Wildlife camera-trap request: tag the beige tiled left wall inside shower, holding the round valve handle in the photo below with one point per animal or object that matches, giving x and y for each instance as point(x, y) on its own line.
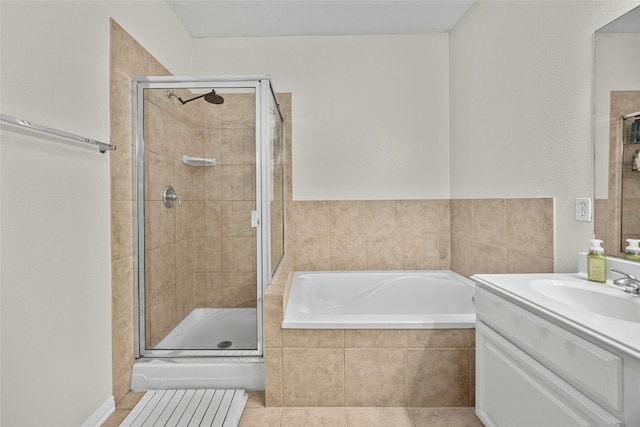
point(169, 233)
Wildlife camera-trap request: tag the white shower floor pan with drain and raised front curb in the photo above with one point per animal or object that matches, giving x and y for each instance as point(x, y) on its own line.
point(184, 362)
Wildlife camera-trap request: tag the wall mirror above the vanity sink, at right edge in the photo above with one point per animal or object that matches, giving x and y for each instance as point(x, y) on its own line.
point(617, 122)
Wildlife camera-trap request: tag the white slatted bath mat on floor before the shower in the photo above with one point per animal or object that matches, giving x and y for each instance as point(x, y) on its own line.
point(173, 408)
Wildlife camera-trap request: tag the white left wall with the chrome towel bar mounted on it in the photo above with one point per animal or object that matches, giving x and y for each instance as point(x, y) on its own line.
point(55, 215)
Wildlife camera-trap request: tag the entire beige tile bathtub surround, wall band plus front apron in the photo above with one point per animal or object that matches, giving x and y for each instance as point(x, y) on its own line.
point(466, 236)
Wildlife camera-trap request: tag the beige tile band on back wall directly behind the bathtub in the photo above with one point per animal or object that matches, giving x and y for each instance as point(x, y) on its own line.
point(371, 235)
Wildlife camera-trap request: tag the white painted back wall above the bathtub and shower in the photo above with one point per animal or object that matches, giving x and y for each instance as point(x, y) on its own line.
point(370, 112)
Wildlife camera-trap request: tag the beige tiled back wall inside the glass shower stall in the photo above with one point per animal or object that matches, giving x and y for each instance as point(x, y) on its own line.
point(225, 259)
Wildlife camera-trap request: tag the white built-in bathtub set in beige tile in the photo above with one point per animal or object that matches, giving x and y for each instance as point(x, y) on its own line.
point(380, 300)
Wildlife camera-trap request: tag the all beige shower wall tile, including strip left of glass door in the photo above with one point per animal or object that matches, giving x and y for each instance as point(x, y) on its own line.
point(211, 224)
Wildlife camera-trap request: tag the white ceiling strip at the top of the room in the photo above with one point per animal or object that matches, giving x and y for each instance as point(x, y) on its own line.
point(267, 18)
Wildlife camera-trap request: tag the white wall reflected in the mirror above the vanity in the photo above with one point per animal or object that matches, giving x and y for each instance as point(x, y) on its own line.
point(617, 68)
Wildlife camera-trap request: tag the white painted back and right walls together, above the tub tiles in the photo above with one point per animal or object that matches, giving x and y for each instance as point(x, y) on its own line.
point(520, 108)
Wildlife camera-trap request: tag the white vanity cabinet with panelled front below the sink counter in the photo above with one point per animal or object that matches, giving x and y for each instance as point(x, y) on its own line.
point(533, 370)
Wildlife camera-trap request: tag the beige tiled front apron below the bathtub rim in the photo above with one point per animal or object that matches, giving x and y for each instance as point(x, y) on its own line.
point(421, 368)
